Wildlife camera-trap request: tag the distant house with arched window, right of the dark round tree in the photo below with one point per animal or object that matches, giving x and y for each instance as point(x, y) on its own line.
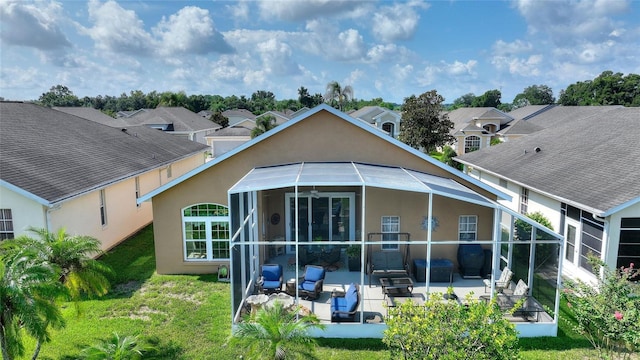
point(475, 127)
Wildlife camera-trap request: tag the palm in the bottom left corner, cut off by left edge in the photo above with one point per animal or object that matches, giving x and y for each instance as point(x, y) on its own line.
point(28, 289)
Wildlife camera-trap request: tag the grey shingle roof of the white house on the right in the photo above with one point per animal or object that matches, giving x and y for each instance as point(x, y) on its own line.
point(588, 161)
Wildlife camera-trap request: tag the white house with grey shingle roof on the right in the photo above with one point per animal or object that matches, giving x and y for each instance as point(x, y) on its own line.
point(582, 173)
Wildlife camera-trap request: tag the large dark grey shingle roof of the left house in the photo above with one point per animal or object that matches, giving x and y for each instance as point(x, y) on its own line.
point(54, 155)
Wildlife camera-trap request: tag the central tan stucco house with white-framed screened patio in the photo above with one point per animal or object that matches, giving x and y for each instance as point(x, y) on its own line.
point(320, 182)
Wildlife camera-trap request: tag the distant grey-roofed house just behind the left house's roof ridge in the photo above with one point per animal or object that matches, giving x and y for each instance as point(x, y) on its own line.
point(176, 121)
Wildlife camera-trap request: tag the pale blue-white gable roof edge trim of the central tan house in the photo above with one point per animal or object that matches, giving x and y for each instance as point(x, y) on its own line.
point(324, 107)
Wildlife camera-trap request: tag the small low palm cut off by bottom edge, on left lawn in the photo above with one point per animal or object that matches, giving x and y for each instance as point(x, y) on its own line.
point(116, 348)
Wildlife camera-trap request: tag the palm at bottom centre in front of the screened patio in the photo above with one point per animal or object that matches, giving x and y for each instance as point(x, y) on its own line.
point(276, 333)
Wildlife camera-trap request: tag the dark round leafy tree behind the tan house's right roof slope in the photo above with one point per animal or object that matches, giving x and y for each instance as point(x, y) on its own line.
point(424, 123)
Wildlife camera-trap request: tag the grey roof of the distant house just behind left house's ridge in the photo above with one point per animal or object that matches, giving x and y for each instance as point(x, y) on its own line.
point(183, 120)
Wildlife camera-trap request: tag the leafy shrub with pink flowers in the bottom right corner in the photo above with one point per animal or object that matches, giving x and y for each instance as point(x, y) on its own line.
point(607, 313)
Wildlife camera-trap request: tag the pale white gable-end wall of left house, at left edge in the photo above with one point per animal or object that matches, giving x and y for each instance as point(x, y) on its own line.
point(25, 212)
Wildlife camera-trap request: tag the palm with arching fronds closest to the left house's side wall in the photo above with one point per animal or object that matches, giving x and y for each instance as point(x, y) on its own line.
point(77, 270)
